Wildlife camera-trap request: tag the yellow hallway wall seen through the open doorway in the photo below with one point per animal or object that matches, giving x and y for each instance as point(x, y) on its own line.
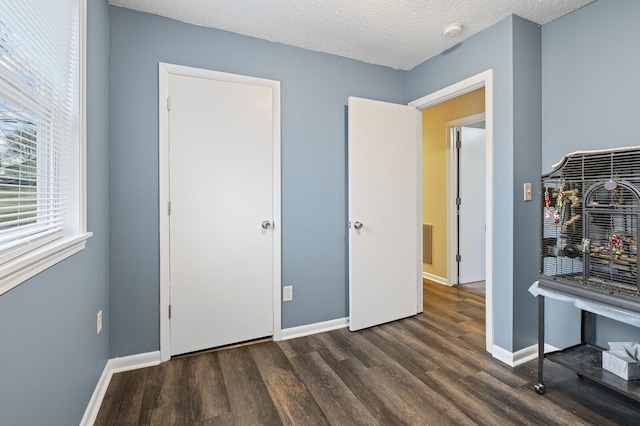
point(434, 166)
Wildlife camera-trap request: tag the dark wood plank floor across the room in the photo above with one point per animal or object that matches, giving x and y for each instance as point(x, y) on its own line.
point(428, 369)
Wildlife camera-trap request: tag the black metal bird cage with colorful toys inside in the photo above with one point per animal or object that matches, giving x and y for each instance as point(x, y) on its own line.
point(590, 212)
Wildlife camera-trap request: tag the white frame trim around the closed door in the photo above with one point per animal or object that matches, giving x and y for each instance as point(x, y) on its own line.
point(164, 72)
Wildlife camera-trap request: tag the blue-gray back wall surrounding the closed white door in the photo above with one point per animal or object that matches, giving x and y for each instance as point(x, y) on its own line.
point(314, 89)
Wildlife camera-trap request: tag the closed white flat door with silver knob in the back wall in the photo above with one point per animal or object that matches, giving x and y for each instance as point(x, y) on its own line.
point(221, 219)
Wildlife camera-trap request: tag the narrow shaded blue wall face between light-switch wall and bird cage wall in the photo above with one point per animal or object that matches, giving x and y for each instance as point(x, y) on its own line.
point(527, 153)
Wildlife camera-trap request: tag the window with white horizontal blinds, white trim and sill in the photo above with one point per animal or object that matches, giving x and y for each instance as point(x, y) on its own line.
point(42, 196)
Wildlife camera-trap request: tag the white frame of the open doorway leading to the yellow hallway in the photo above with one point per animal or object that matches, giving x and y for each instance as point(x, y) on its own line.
point(483, 79)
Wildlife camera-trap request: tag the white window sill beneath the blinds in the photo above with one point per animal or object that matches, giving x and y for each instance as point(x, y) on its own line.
point(26, 266)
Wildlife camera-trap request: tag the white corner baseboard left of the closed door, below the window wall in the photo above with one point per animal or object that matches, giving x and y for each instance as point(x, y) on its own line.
point(115, 365)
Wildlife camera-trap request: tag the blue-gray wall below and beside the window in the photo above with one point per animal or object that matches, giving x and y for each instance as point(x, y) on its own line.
point(50, 356)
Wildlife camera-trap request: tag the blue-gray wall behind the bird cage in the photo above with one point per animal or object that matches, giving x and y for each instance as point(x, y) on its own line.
point(590, 98)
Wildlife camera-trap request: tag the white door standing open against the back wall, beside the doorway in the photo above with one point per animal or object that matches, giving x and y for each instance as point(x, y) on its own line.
point(384, 212)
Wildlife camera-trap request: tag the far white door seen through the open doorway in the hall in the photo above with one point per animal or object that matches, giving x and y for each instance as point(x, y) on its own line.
point(471, 230)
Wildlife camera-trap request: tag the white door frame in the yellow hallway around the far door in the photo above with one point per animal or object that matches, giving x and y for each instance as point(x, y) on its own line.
point(452, 181)
